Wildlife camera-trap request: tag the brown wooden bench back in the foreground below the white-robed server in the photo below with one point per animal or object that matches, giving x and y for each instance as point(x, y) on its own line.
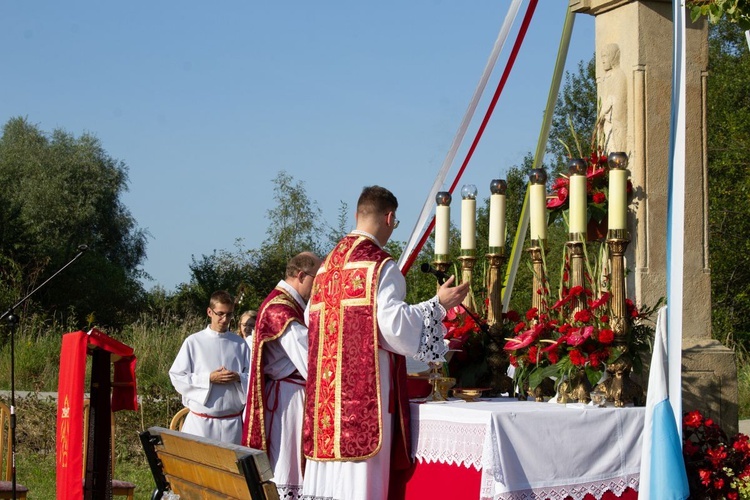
point(199, 468)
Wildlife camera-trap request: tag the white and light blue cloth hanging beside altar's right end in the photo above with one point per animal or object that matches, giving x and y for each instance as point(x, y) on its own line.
point(663, 475)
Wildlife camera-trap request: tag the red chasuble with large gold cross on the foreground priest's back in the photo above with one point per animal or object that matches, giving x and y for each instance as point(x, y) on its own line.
point(343, 405)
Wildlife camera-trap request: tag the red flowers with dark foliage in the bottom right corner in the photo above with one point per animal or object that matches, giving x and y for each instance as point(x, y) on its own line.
point(717, 467)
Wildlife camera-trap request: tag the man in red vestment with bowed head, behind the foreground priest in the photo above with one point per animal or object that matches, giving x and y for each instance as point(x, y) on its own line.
point(275, 401)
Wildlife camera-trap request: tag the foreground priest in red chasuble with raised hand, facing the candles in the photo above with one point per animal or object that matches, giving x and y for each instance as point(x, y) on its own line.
point(360, 330)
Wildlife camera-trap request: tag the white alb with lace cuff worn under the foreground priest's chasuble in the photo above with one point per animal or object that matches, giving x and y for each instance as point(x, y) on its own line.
point(409, 330)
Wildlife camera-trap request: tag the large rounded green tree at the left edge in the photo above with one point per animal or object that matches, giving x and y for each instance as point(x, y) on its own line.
point(59, 191)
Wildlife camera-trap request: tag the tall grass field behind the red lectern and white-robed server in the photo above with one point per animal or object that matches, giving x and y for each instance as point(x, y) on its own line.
point(156, 340)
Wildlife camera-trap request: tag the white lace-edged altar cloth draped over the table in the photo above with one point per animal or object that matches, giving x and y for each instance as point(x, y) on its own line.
point(527, 450)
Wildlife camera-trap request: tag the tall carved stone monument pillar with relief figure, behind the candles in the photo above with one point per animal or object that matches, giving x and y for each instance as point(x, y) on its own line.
point(634, 41)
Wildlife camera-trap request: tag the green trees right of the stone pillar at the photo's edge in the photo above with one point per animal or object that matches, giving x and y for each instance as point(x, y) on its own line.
point(728, 118)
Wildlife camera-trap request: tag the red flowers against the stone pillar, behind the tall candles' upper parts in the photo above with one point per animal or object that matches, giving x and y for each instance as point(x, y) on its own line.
point(597, 189)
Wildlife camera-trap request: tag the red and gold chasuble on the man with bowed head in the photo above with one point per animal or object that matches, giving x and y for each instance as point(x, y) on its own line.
point(275, 313)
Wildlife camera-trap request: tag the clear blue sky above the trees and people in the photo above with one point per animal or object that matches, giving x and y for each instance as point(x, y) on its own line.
point(207, 101)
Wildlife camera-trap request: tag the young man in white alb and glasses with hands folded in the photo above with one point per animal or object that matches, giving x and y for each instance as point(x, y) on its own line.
point(211, 373)
